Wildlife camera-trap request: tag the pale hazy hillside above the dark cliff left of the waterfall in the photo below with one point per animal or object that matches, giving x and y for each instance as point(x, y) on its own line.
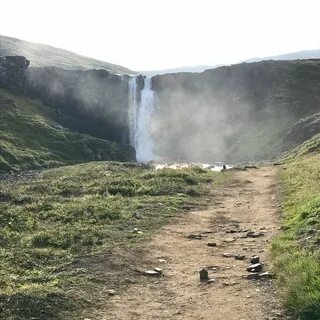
point(41, 55)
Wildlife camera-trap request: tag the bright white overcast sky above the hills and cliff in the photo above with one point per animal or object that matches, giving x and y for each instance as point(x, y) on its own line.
point(161, 34)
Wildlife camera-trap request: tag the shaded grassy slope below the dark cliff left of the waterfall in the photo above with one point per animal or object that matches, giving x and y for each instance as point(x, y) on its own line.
point(30, 139)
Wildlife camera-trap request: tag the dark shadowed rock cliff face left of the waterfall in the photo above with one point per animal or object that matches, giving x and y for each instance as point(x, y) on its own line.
point(94, 102)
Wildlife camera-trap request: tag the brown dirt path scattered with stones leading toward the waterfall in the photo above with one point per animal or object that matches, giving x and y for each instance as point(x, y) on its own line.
point(248, 202)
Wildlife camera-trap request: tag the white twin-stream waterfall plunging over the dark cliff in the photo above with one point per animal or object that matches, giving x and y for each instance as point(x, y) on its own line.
point(140, 115)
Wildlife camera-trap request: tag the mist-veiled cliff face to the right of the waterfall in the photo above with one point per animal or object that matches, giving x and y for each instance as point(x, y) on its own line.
point(237, 113)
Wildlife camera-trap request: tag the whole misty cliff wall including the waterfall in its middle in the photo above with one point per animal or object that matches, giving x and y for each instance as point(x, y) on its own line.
point(243, 112)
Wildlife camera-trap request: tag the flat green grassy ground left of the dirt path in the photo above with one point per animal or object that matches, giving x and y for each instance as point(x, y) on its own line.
point(60, 232)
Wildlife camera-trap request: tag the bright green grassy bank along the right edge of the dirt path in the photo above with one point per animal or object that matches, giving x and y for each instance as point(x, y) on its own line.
point(296, 251)
